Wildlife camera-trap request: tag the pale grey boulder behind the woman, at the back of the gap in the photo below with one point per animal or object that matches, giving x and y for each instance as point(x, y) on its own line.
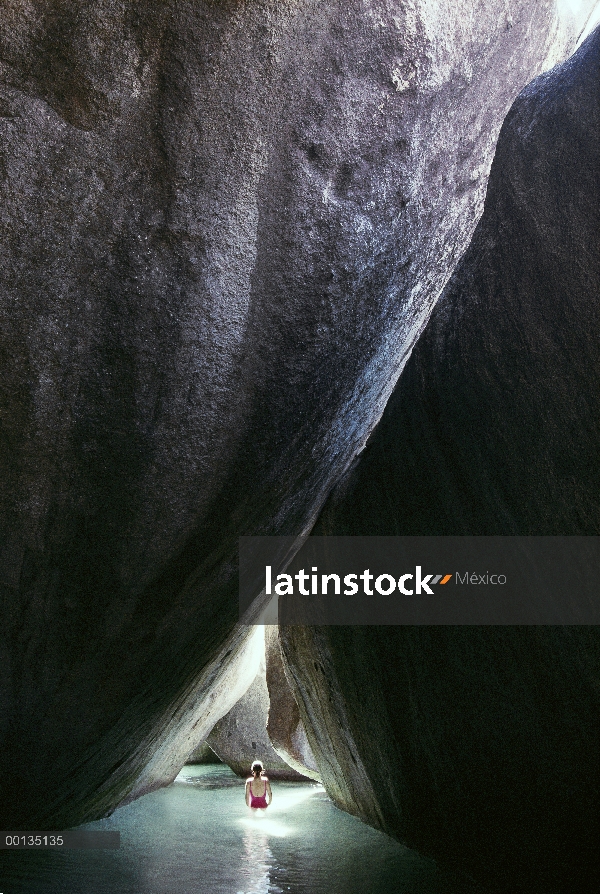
point(241, 736)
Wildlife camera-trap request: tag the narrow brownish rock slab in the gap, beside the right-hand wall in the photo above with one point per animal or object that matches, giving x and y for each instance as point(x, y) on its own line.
point(284, 725)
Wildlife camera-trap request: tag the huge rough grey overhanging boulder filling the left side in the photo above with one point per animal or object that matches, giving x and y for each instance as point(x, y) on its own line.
point(223, 226)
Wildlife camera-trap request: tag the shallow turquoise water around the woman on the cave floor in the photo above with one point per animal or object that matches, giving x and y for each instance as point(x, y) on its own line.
point(198, 837)
